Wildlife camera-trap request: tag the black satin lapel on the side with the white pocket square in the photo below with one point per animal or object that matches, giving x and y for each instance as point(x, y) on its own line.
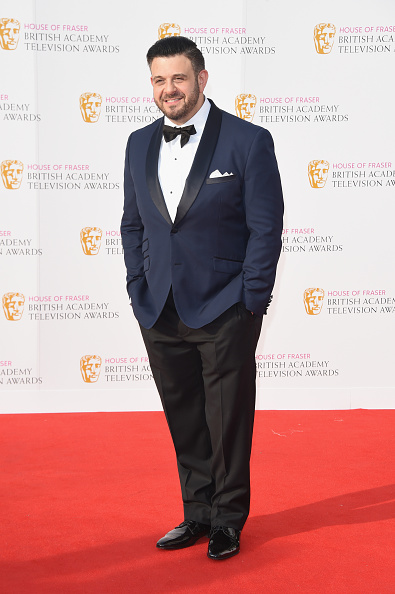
point(201, 163)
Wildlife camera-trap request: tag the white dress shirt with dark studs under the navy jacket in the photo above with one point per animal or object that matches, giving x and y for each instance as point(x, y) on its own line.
point(175, 163)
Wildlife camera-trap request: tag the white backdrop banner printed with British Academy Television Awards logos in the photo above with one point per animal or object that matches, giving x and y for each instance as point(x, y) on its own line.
point(74, 84)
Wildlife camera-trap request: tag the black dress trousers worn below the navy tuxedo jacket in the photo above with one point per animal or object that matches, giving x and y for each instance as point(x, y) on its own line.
point(206, 382)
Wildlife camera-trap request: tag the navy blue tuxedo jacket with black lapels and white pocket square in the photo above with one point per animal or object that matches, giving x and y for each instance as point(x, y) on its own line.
point(225, 242)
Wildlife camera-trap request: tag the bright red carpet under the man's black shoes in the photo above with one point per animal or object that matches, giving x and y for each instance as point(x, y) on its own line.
point(79, 512)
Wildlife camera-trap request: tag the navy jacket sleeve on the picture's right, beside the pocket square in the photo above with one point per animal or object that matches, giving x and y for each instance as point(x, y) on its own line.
point(264, 216)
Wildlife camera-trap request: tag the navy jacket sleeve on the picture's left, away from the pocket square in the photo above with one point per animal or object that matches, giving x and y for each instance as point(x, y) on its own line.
point(131, 229)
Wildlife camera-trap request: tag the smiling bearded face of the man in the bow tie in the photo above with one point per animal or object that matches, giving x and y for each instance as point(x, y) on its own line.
point(178, 91)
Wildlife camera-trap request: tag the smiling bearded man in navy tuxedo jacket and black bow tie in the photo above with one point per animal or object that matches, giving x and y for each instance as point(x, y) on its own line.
point(201, 234)
